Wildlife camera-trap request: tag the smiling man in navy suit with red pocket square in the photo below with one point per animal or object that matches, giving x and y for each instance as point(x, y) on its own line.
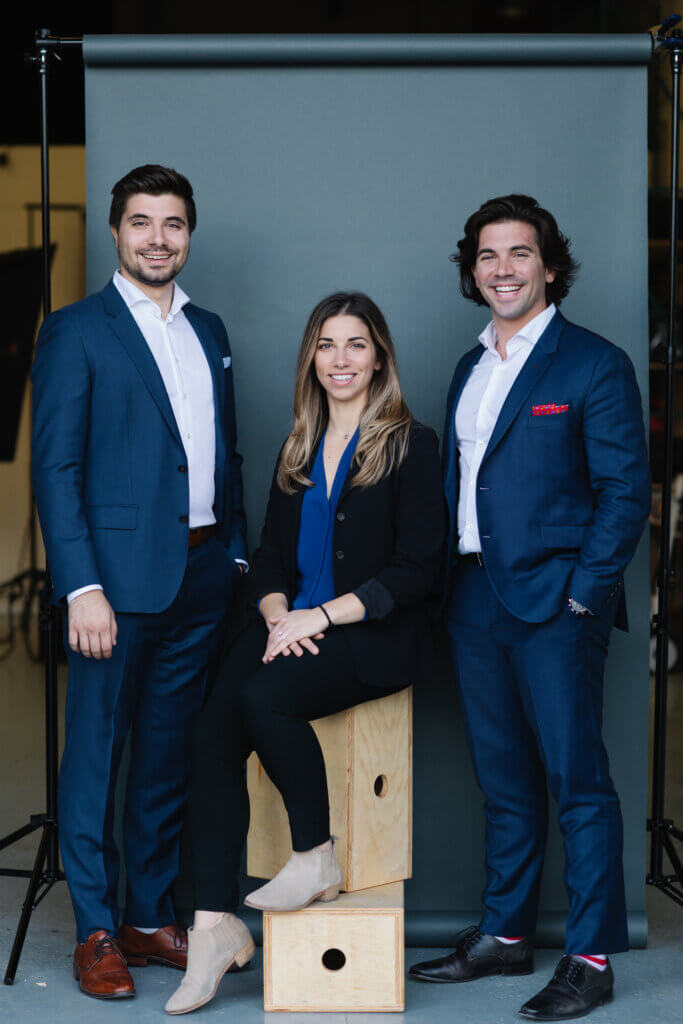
point(548, 488)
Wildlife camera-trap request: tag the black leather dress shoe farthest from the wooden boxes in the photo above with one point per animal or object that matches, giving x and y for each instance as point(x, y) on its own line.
point(575, 990)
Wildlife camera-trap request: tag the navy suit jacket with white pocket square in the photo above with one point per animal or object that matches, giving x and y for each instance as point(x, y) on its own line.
point(110, 472)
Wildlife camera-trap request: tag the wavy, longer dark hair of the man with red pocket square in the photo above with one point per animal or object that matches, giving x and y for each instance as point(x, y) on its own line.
point(553, 245)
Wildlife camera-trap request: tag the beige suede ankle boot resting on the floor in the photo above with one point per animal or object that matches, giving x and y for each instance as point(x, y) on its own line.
point(211, 952)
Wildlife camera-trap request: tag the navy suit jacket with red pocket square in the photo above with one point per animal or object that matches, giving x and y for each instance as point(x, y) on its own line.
point(562, 499)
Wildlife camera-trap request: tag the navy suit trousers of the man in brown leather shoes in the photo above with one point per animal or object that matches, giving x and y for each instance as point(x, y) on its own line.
point(153, 689)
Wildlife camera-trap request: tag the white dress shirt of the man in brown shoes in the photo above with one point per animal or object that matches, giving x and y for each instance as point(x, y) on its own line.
point(189, 383)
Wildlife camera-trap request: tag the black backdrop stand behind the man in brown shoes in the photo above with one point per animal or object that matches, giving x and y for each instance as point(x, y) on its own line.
point(47, 867)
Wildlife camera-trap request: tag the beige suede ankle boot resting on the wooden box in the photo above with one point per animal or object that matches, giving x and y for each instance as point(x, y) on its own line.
point(307, 877)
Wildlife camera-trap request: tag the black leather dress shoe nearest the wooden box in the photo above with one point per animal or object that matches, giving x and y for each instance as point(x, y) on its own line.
point(478, 956)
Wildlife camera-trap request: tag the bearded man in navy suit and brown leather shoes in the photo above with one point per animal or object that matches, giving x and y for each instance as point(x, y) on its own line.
point(139, 490)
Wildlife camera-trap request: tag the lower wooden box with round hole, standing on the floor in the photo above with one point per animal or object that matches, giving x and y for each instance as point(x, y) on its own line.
point(346, 956)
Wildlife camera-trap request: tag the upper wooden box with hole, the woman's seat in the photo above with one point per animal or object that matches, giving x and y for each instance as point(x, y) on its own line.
point(368, 754)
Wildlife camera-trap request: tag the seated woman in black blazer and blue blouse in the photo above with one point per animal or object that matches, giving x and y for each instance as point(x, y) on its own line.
point(350, 553)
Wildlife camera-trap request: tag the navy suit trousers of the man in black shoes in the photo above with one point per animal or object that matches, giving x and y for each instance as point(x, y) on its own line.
point(532, 699)
